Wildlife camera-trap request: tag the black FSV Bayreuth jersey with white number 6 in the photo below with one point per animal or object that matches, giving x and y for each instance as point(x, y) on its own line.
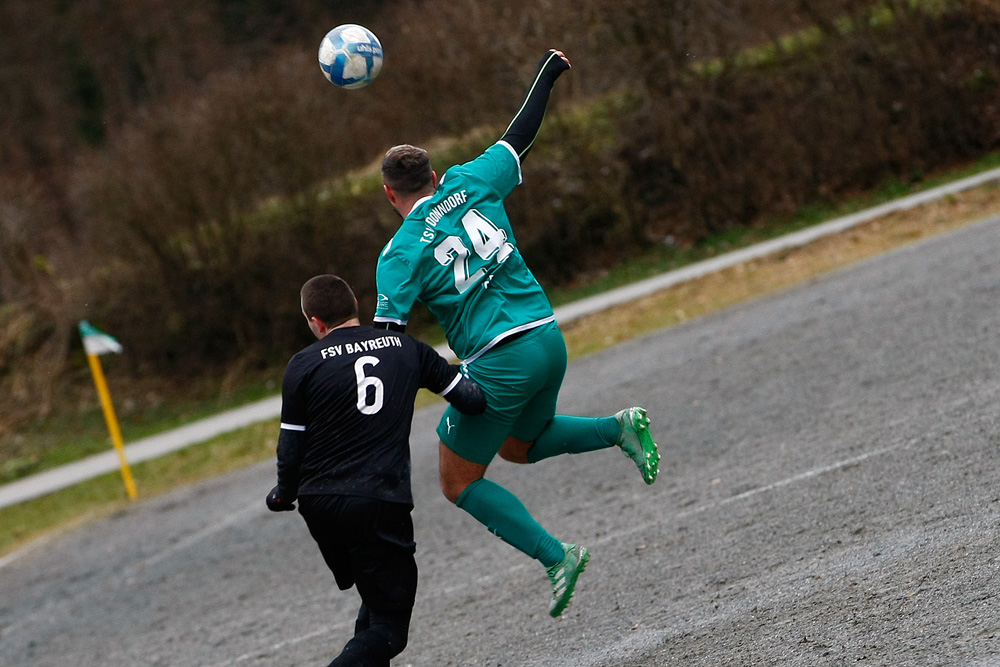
point(351, 395)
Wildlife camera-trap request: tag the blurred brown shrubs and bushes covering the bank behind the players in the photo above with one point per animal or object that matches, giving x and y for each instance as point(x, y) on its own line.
point(200, 179)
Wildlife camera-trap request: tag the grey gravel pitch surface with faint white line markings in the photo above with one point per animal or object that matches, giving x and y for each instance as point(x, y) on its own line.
point(829, 496)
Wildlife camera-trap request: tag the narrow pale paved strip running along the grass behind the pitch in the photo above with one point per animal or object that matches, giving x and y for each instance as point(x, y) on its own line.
point(269, 408)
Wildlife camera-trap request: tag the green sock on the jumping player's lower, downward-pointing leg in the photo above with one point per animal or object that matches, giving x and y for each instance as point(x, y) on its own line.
point(506, 517)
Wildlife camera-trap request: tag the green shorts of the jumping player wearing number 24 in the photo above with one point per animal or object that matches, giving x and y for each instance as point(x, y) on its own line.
point(521, 380)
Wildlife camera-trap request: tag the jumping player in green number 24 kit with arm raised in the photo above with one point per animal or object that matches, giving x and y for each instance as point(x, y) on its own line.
point(455, 252)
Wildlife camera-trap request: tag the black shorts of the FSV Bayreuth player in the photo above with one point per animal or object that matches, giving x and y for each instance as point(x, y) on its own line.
point(367, 543)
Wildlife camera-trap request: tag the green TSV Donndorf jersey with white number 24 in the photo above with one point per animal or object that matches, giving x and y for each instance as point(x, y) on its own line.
point(455, 252)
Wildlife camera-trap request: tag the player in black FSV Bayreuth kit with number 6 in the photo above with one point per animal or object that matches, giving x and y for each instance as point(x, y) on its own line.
point(344, 454)
